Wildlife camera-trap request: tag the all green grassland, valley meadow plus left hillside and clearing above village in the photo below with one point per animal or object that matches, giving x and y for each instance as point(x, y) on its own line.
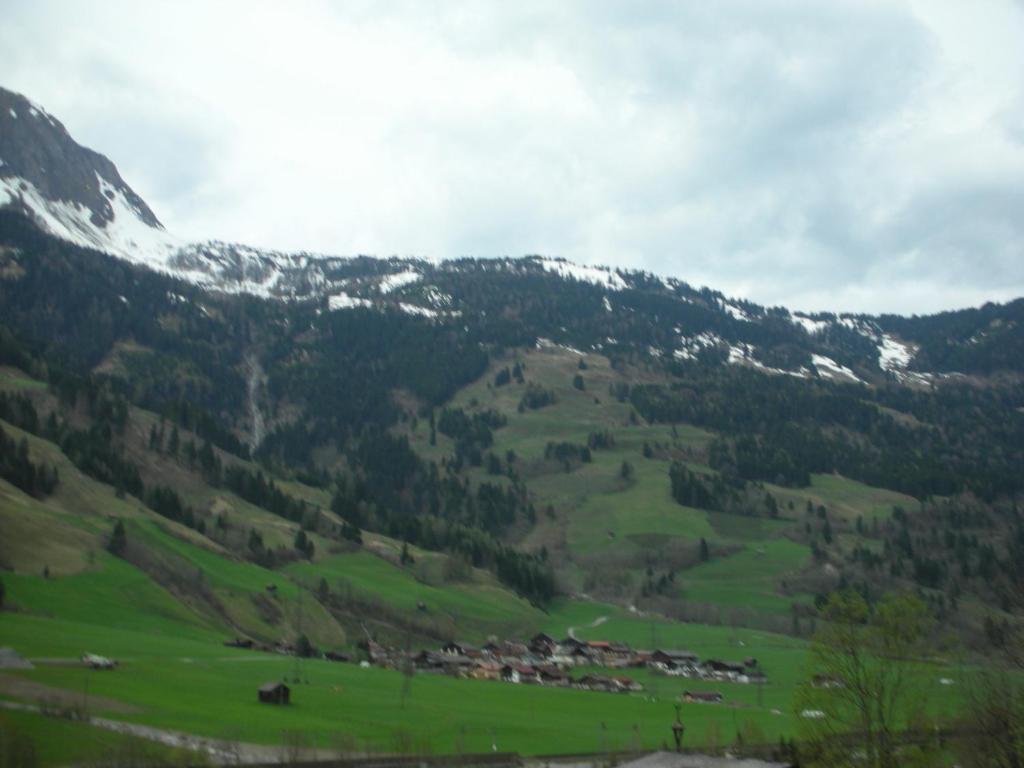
point(166, 620)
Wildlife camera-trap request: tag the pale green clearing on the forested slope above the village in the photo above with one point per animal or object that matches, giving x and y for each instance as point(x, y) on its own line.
point(605, 529)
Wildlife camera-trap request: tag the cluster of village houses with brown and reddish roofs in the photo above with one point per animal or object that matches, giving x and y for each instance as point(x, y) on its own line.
point(544, 661)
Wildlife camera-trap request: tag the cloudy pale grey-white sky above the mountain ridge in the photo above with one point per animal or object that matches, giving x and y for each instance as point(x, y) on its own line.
point(846, 156)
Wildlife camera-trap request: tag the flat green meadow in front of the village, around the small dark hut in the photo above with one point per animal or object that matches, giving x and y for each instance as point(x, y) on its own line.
point(197, 687)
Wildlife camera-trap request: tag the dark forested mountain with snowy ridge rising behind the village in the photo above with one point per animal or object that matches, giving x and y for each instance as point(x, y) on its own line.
point(564, 430)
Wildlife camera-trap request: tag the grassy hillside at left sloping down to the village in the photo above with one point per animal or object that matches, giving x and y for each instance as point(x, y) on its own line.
point(207, 579)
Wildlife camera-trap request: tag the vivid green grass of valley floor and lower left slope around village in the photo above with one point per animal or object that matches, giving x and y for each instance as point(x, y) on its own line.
point(177, 674)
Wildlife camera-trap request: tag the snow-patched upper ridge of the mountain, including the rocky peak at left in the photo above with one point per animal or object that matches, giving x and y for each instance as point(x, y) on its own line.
point(77, 195)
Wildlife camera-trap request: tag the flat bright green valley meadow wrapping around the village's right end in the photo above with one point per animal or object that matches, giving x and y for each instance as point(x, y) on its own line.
point(187, 681)
